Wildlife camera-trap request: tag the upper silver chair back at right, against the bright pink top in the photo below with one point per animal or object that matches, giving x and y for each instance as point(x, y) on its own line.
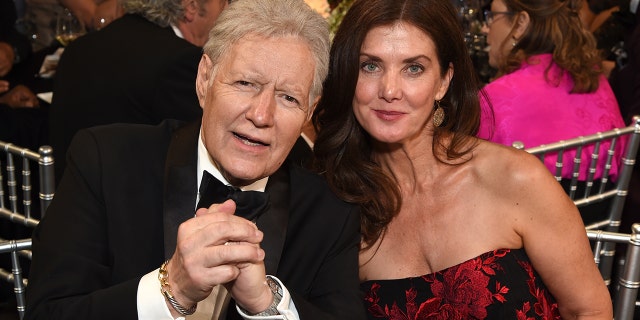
point(600, 189)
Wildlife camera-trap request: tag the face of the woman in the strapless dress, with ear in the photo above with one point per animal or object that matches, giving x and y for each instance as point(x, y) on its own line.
point(398, 81)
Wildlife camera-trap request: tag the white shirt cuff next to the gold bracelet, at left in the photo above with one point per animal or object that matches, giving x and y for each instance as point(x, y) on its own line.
point(151, 302)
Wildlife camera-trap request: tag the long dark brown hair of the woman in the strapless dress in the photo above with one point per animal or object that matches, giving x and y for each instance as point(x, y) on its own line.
point(343, 148)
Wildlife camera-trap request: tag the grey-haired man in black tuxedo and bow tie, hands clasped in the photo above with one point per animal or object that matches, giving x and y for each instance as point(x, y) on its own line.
point(120, 238)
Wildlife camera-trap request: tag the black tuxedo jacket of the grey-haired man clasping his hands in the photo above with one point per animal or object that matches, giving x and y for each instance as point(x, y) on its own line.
point(114, 218)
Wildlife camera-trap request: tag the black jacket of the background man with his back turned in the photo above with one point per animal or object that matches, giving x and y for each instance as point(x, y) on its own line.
point(131, 71)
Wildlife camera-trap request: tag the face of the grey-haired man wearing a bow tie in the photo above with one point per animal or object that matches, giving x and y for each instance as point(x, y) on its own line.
point(255, 104)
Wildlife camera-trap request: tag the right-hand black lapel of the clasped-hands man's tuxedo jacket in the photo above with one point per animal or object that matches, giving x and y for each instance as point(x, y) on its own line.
point(275, 220)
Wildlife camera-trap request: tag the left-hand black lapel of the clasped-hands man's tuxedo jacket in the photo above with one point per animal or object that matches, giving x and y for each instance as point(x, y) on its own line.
point(180, 183)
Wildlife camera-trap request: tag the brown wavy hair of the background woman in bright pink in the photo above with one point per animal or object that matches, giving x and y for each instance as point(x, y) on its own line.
point(555, 27)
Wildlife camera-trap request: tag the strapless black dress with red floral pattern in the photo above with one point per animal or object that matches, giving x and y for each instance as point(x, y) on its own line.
point(495, 285)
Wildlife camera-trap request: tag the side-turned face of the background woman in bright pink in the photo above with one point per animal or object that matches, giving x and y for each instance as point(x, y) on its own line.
point(498, 33)
